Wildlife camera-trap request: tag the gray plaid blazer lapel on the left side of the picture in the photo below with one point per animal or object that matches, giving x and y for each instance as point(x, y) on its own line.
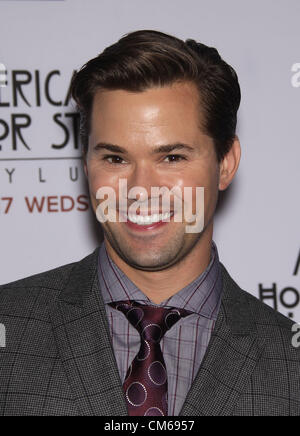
point(82, 334)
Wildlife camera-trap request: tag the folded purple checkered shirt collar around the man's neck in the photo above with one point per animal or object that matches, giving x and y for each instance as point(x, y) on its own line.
point(202, 296)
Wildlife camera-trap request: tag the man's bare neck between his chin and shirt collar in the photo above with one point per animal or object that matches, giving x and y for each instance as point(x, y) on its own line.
point(161, 285)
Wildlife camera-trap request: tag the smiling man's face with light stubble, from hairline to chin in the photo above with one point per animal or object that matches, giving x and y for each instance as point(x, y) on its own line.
point(140, 123)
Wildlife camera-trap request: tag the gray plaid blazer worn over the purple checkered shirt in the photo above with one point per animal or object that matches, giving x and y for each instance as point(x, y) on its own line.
point(59, 359)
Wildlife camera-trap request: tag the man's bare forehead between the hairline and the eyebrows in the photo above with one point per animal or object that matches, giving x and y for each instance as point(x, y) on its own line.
point(174, 105)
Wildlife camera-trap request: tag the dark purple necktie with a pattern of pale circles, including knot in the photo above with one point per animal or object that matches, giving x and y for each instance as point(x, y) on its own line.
point(146, 382)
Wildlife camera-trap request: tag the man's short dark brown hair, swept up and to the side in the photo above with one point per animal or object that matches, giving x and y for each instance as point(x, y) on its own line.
point(145, 59)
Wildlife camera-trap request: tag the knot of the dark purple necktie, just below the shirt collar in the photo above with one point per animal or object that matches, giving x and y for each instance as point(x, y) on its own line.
point(152, 322)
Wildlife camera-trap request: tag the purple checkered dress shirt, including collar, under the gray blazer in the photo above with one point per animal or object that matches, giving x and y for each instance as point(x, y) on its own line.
point(185, 344)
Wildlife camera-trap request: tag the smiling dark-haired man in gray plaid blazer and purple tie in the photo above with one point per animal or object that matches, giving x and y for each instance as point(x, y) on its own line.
point(150, 323)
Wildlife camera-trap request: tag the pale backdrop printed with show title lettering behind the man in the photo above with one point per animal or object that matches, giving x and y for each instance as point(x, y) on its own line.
point(45, 215)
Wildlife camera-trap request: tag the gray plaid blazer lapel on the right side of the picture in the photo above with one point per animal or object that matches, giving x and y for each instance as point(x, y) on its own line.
point(231, 357)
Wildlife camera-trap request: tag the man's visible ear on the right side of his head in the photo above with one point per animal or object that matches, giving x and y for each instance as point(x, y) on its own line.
point(229, 165)
